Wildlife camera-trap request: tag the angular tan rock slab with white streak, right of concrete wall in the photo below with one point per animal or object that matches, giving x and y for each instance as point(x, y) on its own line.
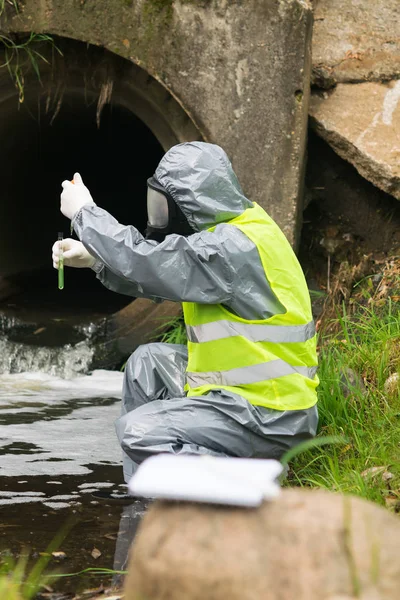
point(362, 124)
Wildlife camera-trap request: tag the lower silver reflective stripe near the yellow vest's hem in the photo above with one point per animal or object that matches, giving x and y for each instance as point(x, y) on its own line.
point(244, 375)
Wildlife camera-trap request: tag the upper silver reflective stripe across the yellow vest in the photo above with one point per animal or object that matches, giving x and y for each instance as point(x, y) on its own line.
point(209, 332)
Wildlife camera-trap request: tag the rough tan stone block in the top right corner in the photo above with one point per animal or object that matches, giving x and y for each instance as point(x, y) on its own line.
point(355, 41)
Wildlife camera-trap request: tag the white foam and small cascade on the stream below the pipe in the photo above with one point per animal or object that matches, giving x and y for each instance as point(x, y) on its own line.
point(36, 382)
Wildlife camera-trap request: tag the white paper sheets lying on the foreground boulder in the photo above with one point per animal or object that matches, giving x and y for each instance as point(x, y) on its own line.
point(219, 480)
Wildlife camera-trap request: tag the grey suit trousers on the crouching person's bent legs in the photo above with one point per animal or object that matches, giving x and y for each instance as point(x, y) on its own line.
point(158, 417)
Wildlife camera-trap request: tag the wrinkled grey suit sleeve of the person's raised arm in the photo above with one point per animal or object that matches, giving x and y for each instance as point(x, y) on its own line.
point(181, 269)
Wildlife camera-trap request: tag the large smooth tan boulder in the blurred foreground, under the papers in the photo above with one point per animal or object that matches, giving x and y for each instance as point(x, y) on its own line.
point(308, 545)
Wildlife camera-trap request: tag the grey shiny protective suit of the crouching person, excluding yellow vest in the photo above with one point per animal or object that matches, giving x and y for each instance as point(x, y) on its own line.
point(218, 267)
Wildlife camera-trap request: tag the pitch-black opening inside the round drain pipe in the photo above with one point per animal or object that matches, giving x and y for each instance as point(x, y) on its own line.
point(115, 159)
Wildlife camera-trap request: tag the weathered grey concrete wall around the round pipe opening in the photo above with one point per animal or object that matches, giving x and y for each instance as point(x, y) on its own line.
point(239, 69)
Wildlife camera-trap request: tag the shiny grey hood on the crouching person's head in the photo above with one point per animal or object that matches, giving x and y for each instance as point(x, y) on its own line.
point(201, 180)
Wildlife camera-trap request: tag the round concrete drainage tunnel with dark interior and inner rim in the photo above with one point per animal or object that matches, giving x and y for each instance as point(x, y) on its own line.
point(113, 126)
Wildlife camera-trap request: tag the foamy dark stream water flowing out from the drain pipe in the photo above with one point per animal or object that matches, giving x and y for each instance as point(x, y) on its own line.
point(58, 448)
